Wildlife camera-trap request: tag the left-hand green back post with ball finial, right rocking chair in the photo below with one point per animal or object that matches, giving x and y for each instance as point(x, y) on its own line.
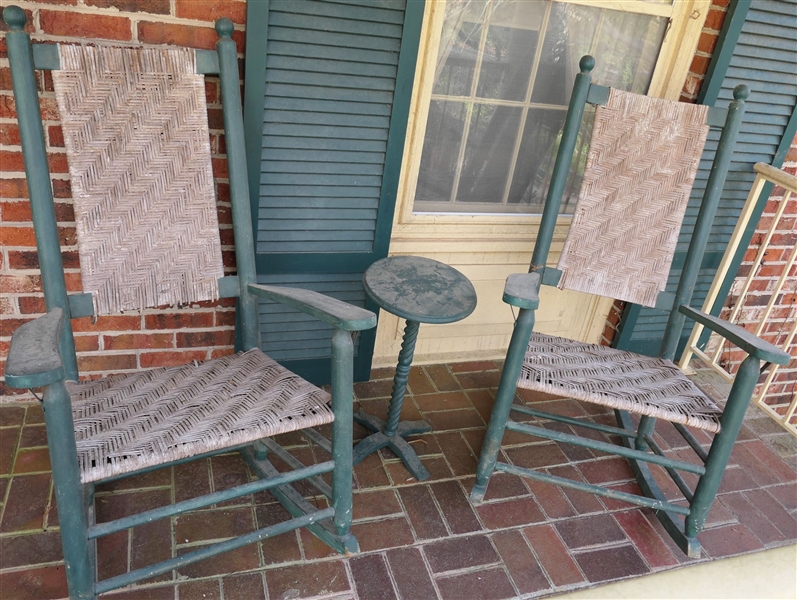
point(564, 157)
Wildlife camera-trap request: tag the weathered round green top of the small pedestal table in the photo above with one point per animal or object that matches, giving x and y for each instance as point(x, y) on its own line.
point(420, 289)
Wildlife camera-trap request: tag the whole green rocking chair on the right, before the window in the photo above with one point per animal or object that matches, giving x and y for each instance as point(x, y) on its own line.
point(640, 168)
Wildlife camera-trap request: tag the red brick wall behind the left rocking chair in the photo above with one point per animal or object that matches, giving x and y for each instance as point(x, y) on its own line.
point(125, 342)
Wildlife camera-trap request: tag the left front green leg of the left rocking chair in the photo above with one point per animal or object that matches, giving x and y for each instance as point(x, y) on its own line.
point(68, 491)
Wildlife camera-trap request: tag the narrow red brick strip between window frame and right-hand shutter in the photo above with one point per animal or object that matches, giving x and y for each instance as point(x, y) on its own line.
point(709, 37)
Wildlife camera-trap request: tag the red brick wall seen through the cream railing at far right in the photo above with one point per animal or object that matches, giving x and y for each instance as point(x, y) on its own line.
point(784, 311)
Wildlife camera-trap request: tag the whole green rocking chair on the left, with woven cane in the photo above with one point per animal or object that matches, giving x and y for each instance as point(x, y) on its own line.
point(135, 128)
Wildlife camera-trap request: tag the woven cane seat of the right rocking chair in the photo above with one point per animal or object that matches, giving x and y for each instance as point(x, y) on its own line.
point(618, 379)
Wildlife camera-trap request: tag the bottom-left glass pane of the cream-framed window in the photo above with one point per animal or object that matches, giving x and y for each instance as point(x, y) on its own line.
point(440, 151)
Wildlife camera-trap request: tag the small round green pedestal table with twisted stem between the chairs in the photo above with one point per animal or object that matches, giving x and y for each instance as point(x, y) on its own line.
point(419, 290)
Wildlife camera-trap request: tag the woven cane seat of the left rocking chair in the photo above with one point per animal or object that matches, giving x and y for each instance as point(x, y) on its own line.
point(130, 422)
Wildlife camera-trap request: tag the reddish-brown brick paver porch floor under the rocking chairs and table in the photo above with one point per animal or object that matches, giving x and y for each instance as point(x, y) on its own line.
point(419, 540)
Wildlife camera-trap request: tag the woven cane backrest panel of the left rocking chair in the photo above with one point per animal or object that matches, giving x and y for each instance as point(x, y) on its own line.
point(137, 141)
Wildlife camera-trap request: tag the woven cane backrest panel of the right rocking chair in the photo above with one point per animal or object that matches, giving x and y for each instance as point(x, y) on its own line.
point(640, 169)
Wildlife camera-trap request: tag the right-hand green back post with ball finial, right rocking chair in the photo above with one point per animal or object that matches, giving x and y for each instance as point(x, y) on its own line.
point(705, 219)
